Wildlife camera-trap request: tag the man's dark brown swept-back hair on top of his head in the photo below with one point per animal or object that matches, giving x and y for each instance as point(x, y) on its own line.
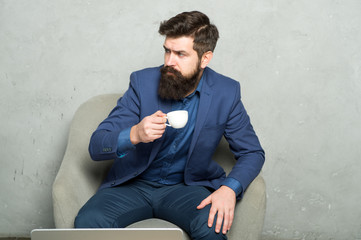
point(192, 24)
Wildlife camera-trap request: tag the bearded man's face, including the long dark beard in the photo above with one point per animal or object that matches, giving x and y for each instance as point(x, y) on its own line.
point(181, 70)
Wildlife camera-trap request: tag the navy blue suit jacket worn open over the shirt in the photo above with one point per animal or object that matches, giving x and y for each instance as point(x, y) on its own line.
point(220, 112)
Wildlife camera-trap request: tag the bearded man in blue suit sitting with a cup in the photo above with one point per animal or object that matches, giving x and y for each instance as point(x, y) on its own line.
point(167, 173)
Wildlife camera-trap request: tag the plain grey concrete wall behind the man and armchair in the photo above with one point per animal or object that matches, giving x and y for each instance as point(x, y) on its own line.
point(298, 63)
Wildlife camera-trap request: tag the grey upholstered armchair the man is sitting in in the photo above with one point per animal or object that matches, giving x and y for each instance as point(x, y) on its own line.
point(79, 177)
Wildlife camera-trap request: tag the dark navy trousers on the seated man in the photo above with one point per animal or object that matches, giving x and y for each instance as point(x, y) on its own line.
point(137, 200)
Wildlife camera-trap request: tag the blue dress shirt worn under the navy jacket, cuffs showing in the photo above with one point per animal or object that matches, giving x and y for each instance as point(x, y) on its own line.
point(168, 166)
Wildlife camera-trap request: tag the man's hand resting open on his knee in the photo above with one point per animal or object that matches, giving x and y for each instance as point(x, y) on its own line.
point(223, 202)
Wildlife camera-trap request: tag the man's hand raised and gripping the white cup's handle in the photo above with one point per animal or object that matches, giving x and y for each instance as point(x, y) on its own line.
point(149, 129)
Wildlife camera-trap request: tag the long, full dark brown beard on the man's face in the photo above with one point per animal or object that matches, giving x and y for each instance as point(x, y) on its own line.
point(174, 86)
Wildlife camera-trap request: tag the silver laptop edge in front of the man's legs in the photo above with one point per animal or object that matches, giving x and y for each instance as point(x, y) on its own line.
point(108, 233)
